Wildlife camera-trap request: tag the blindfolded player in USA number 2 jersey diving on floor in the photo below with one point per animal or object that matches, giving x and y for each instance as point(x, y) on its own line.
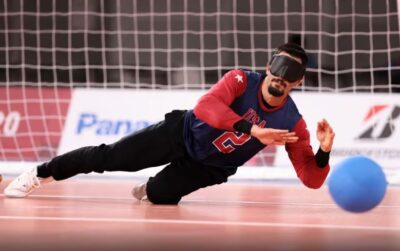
point(241, 114)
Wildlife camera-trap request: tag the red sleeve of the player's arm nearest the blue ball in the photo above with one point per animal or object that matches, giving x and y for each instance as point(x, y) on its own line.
point(303, 158)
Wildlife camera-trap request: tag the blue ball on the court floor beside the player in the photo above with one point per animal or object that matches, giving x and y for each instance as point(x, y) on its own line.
point(357, 184)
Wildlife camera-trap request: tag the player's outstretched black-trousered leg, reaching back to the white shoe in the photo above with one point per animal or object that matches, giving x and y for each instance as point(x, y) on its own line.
point(155, 145)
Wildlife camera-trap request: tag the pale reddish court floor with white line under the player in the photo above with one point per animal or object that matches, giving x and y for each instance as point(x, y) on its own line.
point(97, 215)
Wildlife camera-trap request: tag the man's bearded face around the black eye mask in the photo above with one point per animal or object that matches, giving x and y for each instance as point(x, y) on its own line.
point(278, 86)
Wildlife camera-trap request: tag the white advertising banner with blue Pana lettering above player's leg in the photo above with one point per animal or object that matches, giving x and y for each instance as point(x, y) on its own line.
point(99, 116)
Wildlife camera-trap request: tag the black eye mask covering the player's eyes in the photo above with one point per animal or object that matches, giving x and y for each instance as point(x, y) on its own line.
point(286, 68)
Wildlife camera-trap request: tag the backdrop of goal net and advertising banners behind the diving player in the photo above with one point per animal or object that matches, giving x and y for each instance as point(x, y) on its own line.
point(75, 73)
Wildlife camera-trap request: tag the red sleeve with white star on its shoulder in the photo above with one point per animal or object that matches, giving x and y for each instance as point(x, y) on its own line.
point(213, 107)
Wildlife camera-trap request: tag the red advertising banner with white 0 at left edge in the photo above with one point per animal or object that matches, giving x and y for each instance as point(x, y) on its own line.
point(31, 122)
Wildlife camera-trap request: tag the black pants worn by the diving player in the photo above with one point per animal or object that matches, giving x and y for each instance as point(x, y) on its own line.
point(159, 144)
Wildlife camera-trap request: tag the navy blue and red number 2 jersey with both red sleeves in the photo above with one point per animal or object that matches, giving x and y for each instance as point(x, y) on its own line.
point(211, 139)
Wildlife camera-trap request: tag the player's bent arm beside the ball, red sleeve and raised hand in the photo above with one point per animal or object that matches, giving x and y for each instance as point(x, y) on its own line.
point(311, 169)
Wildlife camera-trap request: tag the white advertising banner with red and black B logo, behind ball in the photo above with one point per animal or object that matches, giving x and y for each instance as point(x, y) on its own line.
point(365, 124)
